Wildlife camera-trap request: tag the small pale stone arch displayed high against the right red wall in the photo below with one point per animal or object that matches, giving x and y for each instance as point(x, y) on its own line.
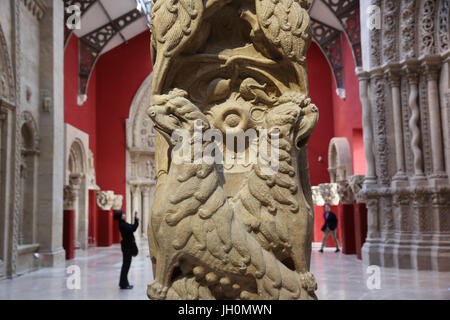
point(340, 165)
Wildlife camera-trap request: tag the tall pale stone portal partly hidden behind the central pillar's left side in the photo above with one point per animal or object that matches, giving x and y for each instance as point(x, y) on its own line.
point(140, 167)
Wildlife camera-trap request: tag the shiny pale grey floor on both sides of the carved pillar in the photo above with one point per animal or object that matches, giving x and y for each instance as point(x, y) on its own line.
point(339, 277)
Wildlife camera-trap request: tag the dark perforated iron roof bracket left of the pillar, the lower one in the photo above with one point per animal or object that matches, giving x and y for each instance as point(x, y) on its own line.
point(93, 43)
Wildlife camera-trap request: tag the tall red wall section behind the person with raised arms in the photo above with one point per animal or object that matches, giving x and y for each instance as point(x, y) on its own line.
point(120, 73)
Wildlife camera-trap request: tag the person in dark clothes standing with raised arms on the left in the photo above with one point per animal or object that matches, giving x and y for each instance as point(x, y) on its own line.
point(128, 244)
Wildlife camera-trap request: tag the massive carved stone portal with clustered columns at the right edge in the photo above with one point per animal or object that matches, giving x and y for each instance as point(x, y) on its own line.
point(405, 108)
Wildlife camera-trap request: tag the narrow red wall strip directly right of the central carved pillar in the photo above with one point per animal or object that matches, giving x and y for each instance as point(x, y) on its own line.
point(320, 91)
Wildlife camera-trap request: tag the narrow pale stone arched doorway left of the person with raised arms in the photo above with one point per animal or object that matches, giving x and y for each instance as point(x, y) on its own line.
point(76, 182)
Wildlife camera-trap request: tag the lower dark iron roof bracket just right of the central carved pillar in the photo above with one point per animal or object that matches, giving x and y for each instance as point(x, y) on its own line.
point(330, 42)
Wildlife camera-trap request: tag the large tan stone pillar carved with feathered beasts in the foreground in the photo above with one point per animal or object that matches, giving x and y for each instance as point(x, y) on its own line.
point(231, 230)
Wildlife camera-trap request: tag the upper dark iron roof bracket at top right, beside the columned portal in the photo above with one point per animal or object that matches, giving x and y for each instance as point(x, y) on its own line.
point(347, 12)
